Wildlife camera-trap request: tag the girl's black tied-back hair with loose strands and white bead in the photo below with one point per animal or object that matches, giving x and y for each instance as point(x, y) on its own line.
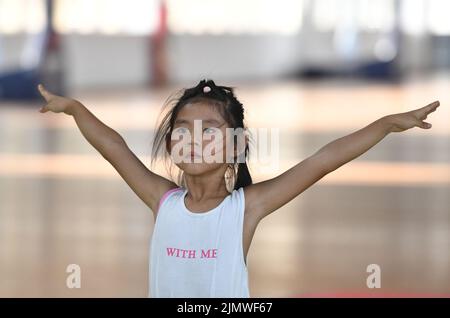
point(223, 97)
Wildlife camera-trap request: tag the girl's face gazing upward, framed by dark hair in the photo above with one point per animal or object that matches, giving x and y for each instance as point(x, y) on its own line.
point(199, 140)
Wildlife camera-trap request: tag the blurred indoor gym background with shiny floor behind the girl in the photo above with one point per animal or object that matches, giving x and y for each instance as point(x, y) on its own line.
point(315, 69)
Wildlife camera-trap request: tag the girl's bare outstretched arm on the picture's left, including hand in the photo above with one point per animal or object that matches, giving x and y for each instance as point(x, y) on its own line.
point(148, 186)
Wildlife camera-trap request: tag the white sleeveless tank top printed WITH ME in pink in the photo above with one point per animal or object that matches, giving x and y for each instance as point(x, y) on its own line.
point(198, 254)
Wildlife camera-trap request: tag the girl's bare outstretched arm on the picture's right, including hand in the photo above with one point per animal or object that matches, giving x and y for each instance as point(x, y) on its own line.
point(265, 197)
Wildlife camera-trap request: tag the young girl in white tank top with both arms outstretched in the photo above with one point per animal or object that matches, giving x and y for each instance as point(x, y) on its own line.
point(205, 222)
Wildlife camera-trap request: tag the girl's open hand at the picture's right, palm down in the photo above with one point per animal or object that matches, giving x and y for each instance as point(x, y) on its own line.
point(403, 121)
